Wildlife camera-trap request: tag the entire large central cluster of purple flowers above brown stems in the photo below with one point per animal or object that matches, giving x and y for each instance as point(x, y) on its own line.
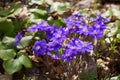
point(67, 42)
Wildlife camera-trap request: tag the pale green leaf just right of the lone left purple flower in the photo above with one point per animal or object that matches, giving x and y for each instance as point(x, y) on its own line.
point(24, 42)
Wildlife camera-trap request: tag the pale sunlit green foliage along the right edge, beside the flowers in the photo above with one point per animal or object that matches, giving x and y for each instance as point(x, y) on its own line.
point(113, 28)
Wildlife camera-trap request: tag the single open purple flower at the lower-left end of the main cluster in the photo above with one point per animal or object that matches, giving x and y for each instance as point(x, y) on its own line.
point(39, 48)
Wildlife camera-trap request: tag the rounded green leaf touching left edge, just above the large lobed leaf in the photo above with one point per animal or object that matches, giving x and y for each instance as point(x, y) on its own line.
point(7, 54)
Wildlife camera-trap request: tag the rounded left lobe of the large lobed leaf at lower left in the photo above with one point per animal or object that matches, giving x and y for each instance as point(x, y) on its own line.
point(12, 66)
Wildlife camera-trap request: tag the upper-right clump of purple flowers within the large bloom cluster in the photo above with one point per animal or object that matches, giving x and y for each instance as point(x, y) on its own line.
point(93, 26)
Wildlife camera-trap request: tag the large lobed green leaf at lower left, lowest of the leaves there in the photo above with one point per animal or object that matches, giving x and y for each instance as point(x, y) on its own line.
point(14, 65)
